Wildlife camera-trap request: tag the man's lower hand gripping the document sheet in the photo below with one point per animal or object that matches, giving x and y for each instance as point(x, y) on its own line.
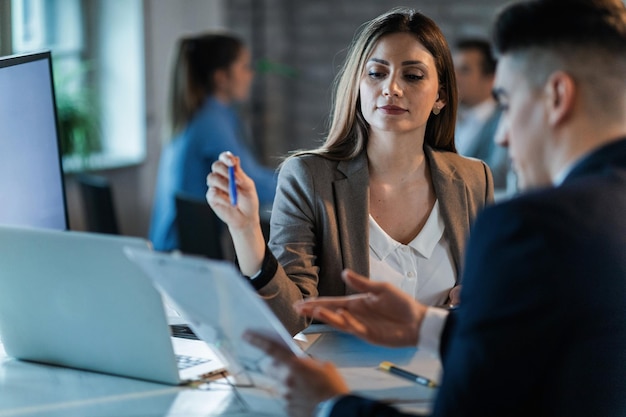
point(306, 382)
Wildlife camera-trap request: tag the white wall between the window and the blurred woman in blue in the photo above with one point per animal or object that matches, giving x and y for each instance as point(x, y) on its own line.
point(133, 187)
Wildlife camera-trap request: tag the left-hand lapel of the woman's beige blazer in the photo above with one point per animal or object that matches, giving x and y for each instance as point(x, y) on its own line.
point(352, 201)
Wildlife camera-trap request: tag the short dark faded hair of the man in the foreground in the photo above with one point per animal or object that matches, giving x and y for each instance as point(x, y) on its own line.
point(586, 38)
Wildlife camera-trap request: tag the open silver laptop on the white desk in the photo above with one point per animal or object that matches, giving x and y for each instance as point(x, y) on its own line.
point(74, 299)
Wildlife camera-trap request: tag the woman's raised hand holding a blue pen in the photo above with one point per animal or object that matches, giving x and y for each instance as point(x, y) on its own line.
point(243, 218)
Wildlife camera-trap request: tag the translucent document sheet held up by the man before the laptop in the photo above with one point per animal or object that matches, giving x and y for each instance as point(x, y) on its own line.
point(219, 305)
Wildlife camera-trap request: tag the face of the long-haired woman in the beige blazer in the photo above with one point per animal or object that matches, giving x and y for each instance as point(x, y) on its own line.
point(399, 86)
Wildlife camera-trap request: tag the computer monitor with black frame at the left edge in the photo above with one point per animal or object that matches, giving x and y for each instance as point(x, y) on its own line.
point(32, 189)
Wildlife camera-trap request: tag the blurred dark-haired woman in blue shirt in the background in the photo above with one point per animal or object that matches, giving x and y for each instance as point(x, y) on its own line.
point(212, 73)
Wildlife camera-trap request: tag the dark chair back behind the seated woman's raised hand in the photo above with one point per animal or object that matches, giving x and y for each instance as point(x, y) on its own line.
point(200, 231)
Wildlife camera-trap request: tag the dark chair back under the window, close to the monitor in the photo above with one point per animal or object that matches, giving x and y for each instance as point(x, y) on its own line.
point(97, 197)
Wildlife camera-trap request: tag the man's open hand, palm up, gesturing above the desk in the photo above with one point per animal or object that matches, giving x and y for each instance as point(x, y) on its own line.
point(381, 314)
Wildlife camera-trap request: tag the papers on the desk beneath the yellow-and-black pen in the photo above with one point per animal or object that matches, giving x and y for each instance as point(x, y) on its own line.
point(358, 362)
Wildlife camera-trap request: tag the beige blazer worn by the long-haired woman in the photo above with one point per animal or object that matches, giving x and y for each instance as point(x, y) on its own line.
point(319, 222)
